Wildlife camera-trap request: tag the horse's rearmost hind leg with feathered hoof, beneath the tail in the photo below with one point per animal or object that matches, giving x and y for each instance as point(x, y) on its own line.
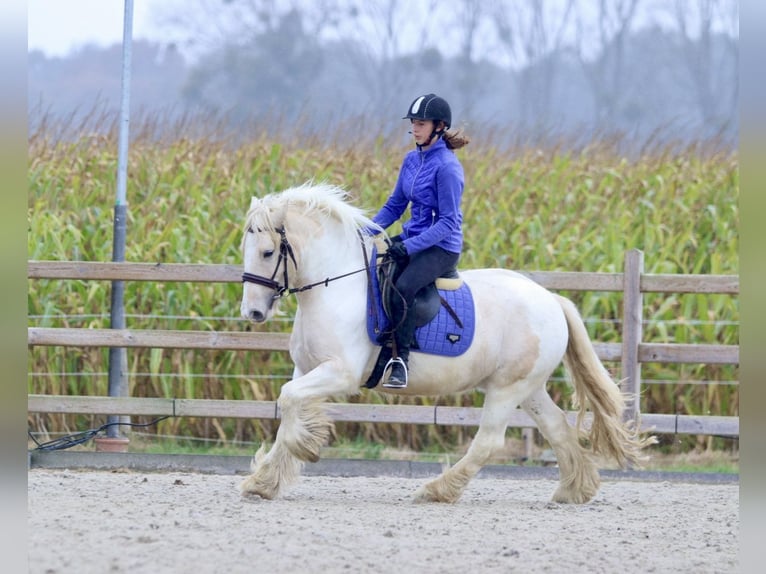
point(578, 475)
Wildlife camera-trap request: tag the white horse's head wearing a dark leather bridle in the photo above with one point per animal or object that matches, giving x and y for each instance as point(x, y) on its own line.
point(267, 257)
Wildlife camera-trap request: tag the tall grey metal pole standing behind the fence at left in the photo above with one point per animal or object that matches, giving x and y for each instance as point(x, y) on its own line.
point(118, 360)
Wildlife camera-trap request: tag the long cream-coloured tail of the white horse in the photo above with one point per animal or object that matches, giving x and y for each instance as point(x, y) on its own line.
point(593, 387)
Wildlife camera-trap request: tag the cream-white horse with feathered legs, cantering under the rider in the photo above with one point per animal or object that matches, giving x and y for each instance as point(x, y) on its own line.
point(311, 241)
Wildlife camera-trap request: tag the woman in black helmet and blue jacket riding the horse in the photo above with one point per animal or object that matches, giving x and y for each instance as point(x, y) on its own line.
point(431, 181)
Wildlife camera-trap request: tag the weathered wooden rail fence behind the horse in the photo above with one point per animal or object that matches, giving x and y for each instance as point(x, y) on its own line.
point(633, 283)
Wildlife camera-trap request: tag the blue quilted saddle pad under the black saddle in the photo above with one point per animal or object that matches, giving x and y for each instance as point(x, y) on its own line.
point(442, 335)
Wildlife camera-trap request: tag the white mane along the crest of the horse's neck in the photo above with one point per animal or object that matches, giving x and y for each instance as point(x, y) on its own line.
point(324, 200)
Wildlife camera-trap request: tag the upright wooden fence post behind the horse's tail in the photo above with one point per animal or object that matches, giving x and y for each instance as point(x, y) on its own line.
point(632, 331)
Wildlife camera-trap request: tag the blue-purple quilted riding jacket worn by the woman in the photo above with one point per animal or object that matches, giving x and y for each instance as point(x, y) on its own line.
point(432, 182)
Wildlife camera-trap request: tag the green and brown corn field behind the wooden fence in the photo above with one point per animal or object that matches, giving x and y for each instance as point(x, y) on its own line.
point(526, 209)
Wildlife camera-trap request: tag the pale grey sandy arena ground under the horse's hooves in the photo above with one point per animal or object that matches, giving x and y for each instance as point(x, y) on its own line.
point(106, 521)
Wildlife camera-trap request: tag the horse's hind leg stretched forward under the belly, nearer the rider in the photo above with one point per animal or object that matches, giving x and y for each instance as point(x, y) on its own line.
point(449, 486)
